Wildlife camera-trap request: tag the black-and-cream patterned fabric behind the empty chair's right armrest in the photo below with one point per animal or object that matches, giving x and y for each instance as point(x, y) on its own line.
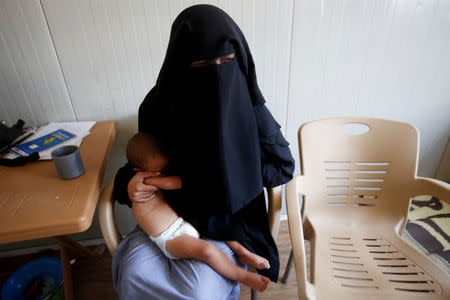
point(428, 229)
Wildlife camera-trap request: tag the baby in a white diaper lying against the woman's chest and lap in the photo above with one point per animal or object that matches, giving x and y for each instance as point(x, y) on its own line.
point(175, 237)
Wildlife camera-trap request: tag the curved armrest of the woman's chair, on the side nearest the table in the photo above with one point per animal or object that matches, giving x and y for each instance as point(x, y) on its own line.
point(108, 224)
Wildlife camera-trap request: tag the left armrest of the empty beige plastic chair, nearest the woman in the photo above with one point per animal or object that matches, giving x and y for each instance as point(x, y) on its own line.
point(295, 220)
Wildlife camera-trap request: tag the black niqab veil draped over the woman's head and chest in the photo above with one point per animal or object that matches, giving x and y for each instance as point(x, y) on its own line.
point(212, 131)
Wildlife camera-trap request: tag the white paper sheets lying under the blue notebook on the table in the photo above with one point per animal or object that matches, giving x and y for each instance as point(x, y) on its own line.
point(80, 129)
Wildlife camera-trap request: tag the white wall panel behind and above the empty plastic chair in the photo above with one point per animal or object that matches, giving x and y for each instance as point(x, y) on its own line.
point(386, 59)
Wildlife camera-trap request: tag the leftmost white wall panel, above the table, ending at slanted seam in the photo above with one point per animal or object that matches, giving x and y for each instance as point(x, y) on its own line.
point(31, 83)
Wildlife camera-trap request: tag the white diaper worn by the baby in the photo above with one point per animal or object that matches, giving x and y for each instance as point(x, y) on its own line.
point(179, 227)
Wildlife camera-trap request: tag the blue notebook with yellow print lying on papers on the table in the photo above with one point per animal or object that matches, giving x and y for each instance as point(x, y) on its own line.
point(42, 143)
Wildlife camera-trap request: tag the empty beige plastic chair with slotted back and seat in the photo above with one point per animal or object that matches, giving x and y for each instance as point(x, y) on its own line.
point(356, 191)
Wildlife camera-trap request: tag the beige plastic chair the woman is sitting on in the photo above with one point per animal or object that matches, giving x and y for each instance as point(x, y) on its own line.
point(112, 235)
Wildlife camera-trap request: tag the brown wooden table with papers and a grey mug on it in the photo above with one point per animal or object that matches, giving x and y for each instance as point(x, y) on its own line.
point(36, 203)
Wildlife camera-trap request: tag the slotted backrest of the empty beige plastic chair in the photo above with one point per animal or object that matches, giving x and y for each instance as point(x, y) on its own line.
point(358, 178)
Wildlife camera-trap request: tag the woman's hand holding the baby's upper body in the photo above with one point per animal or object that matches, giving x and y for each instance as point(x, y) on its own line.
point(138, 191)
